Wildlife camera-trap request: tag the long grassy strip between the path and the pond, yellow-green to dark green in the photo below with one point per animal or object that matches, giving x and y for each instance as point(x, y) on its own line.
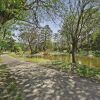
point(81, 70)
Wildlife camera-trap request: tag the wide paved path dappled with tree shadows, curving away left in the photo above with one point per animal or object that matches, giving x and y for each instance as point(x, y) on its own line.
point(41, 83)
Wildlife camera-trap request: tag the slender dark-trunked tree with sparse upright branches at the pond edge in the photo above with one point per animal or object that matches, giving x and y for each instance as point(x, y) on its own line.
point(80, 19)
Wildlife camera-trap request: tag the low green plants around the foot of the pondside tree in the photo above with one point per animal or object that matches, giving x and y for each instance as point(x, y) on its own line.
point(80, 70)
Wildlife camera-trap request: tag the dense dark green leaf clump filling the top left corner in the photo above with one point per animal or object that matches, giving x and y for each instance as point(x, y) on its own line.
point(10, 9)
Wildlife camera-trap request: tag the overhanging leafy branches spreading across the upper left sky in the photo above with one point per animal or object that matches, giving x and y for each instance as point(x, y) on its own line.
point(36, 9)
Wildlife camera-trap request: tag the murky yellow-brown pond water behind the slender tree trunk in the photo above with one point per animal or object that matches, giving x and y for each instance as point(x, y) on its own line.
point(90, 61)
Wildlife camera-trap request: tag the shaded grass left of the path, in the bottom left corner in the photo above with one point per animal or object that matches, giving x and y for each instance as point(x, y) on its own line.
point(8, 86)
